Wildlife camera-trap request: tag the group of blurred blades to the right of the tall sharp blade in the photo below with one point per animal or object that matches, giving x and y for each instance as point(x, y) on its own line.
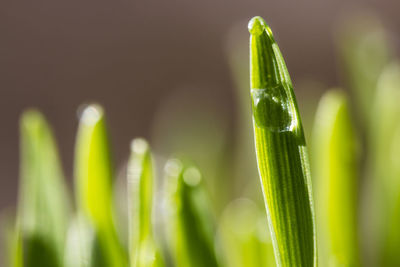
point(355, 165)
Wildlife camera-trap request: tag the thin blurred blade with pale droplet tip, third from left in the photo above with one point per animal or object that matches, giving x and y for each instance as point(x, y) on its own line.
point(143, 249)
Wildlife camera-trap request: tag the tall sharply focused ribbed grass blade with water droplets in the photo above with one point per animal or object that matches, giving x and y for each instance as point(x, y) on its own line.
point(281, 151)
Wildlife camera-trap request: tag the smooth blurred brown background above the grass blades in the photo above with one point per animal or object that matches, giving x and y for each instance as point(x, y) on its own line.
point(131, 55)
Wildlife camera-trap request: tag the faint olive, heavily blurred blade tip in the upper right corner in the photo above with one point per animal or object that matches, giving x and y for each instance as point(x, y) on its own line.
point(365, 50)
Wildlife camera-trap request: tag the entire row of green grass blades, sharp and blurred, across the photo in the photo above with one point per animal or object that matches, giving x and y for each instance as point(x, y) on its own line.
point(52, 231)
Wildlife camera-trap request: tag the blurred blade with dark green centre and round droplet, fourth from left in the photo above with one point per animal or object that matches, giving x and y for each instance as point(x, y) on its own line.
point(191, 229)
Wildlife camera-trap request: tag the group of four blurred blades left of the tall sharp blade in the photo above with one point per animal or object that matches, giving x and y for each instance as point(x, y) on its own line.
point(45, 235)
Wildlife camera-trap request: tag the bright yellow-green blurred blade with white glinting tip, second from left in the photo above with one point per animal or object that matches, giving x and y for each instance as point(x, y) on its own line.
point(93, 184)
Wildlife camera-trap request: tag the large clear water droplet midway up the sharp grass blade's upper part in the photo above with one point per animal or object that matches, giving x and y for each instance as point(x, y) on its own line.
point(271, 109)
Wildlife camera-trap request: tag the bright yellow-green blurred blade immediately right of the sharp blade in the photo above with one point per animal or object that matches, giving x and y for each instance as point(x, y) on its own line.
point(335, 170)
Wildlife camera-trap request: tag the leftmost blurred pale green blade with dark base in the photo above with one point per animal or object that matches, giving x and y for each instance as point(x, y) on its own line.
point(43, 206)
